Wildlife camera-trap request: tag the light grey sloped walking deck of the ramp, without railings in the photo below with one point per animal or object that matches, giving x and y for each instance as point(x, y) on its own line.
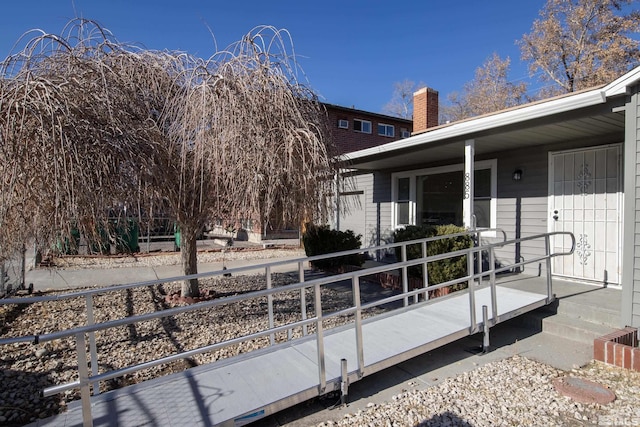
point(244, 389)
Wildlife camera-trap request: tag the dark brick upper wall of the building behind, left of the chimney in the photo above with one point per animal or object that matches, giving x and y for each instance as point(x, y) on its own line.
point(348, 140)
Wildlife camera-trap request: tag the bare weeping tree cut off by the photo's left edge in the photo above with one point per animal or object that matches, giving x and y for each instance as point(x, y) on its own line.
point(74, 135)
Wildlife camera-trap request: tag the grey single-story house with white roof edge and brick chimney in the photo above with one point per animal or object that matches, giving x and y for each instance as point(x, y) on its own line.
point(570, 163)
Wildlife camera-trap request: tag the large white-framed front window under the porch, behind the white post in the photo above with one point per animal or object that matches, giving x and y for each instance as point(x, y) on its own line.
point(435, 196)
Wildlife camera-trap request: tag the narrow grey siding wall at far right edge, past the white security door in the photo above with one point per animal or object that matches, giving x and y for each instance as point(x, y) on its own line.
point(630, 309)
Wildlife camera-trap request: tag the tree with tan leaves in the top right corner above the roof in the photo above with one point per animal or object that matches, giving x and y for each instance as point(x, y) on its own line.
point(577, 44)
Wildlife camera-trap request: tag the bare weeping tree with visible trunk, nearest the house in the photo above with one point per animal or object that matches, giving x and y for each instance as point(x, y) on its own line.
point(251, 141)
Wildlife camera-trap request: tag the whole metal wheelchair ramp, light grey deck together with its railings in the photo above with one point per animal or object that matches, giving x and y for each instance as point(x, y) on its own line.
point(245, 388)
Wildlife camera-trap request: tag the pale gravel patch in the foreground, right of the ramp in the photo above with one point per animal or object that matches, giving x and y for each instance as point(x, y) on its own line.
point(512, 392)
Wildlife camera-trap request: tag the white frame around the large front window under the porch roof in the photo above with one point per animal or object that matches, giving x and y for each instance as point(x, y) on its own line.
point(484, 164)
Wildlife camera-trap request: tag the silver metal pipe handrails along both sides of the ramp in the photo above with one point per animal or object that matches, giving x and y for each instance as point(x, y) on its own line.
point(473, 279)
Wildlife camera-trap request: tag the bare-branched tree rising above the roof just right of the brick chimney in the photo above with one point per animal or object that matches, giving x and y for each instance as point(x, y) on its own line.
point(489, 91)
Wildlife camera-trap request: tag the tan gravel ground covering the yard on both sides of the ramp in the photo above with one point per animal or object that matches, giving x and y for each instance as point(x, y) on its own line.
point(512, 392)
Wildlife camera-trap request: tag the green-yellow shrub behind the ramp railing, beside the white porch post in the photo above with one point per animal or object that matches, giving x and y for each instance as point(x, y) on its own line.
point(442, 270)
